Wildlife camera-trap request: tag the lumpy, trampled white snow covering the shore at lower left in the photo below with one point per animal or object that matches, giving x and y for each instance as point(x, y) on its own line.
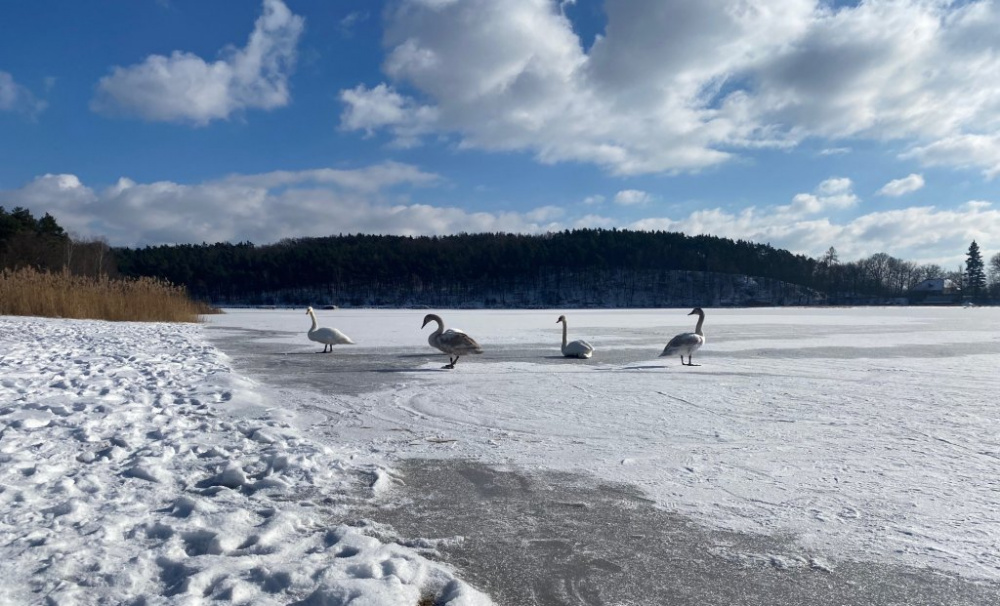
point(135, 467)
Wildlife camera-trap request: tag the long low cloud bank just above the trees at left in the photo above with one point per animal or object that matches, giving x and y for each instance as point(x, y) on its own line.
point(264, 207)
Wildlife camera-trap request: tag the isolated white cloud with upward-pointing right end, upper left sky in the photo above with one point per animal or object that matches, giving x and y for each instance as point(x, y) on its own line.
point(185, 88)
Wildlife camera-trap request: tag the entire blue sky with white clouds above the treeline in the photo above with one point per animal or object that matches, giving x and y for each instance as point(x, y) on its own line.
point(869, 127)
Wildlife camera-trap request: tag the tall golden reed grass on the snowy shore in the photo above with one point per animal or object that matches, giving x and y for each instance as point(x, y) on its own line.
point(29, 292)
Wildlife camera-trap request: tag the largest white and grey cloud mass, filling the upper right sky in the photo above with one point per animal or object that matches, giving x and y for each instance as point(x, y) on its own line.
point(674, 85)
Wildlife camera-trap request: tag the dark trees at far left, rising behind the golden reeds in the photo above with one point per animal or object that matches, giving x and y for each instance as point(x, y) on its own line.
point(42, 244)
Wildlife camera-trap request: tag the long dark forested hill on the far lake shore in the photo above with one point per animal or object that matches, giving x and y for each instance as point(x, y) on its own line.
point(569, 267)
